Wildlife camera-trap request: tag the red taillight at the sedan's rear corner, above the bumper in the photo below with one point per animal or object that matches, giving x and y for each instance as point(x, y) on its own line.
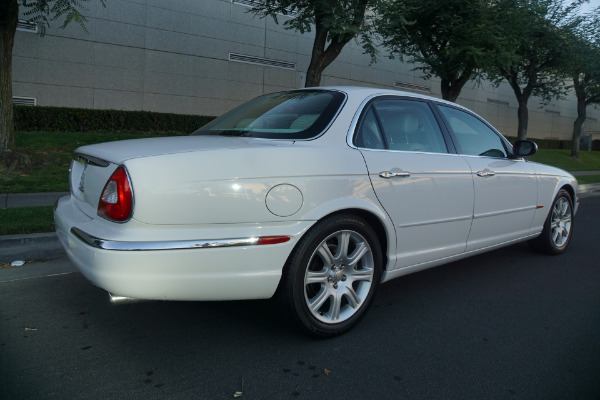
point(116, 201)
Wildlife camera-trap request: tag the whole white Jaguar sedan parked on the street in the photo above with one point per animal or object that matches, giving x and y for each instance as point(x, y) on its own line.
point(314, 196)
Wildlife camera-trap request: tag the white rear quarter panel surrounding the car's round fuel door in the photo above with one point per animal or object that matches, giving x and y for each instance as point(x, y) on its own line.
point(231, 186)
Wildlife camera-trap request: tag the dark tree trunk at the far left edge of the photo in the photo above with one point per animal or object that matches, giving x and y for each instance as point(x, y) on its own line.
point(9, 13)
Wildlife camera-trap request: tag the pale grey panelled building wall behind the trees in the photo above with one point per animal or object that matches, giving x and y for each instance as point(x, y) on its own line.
point(173, 56)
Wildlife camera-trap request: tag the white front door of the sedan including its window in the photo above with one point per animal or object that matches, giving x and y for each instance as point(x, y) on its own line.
point(505, 188)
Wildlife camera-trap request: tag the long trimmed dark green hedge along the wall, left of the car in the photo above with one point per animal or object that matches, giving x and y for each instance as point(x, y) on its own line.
point(85, 120)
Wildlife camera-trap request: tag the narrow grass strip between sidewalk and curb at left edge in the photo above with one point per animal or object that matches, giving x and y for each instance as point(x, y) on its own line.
point(23, 220)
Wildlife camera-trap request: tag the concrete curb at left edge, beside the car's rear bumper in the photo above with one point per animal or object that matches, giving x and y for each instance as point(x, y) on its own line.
point(29, 247)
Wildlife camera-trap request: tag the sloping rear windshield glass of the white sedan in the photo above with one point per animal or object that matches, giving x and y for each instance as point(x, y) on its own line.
point(301, 114)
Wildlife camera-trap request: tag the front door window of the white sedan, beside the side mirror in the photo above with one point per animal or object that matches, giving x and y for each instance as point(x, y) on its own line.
point(474, 137)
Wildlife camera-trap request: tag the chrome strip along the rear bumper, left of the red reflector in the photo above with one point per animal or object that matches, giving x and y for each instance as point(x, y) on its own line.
point(105, 244)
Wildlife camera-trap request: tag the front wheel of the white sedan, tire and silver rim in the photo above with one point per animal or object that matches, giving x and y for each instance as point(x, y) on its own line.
point(558, 228)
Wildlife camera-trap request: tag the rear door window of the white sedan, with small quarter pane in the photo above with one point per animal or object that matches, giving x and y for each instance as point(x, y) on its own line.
point(400, 124)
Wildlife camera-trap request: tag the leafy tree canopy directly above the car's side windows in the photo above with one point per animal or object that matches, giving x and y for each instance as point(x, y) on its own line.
point(455, 40)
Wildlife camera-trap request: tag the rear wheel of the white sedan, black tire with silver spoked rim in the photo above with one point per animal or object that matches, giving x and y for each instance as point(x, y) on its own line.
point(331, 277)
